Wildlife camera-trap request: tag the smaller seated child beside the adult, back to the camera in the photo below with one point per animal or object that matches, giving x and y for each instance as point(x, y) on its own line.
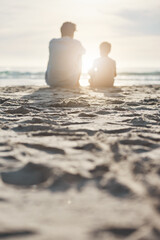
point(104, 68)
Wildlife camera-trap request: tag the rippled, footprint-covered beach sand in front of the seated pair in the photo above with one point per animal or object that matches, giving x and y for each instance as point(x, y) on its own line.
point(80, 164)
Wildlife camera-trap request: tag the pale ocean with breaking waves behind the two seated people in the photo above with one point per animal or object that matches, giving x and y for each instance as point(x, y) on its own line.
point(35, 76)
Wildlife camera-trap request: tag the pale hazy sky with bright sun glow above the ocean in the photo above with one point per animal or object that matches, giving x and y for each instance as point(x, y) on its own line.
point(131, 26)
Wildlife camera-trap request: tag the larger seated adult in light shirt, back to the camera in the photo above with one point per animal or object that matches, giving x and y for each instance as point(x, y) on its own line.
point(65, 55)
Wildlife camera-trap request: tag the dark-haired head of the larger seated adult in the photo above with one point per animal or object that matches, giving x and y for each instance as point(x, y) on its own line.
point(68, 29)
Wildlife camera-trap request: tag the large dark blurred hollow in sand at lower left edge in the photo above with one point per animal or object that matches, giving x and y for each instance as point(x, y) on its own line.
point(30, 174)
